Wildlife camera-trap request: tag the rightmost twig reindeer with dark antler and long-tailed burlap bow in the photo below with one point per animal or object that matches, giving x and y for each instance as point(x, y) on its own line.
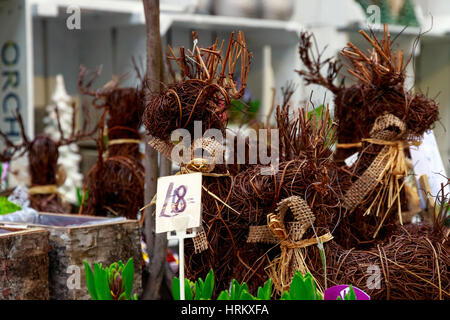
point(378, 118)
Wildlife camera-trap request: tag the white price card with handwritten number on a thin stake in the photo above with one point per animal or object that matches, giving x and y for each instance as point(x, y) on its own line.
point(178, 196)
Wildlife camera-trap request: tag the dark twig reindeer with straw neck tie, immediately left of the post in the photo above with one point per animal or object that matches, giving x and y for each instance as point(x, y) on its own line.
point(115, 183)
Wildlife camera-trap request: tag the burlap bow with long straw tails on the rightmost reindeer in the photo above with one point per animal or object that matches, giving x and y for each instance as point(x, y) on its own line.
point(388, 168)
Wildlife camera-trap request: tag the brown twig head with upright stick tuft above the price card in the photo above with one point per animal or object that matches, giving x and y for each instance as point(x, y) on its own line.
point(204, 91)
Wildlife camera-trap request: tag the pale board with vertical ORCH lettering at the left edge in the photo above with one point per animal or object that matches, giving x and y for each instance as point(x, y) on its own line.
point(15, 68)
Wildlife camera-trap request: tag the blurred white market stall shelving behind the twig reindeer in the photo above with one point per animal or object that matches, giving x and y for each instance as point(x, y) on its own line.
point(53, 42)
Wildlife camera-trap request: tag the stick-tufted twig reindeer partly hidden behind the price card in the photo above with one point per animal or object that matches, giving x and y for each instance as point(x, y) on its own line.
point(202, 91)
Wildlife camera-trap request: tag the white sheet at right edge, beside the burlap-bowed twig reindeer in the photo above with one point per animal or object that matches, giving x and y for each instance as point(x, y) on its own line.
point(427, 160)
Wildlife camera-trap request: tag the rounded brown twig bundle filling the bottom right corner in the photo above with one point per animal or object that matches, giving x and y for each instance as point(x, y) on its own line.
point(412, 264)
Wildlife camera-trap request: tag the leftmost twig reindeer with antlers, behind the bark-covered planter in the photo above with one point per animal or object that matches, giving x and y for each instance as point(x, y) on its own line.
point(43, 155)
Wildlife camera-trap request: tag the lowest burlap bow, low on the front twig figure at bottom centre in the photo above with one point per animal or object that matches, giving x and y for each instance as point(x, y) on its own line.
point(289, 236)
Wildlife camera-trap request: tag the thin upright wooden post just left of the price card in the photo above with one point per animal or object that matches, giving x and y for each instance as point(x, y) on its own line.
point(156, 243)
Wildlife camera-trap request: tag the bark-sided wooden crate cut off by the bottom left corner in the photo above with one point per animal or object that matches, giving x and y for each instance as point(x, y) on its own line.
point(24, 264)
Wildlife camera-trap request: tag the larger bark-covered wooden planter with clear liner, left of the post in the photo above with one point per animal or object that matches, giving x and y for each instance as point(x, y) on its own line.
point(71, 245)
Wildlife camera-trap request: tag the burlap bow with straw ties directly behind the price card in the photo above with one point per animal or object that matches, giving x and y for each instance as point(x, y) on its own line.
point(206, 165)
